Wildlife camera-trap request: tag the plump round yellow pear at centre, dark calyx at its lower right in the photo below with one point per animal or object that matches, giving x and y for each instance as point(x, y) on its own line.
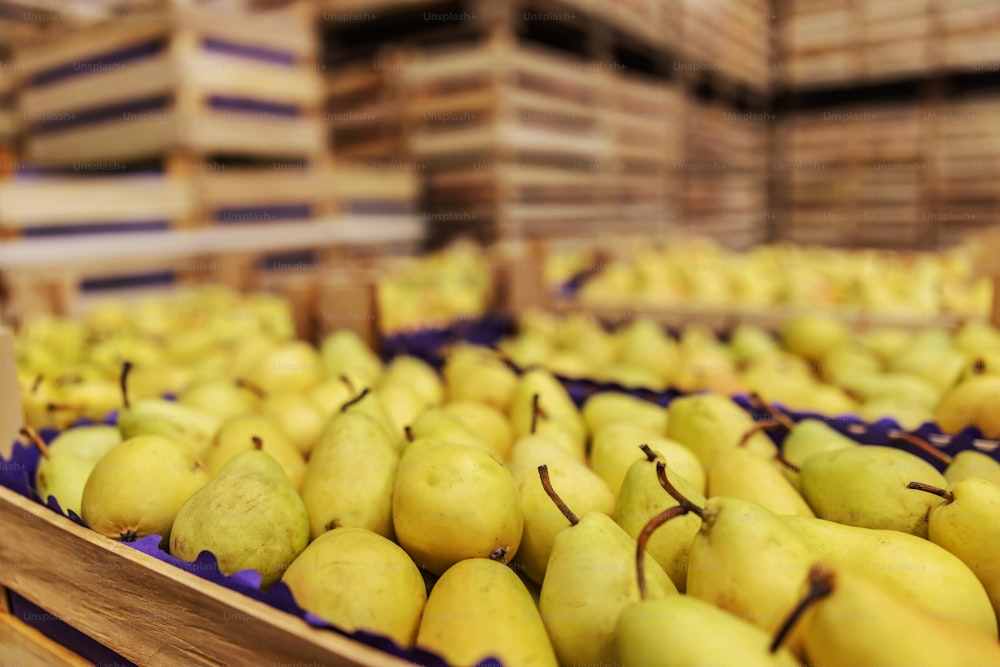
point(452, 502)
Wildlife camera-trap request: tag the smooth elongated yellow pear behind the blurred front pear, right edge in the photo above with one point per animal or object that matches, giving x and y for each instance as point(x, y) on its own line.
point(917, 570)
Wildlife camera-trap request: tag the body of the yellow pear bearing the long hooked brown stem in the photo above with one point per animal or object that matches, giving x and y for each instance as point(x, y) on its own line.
point(747, 561)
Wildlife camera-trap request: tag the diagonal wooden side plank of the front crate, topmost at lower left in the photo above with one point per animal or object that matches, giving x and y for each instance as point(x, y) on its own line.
point(173, 617)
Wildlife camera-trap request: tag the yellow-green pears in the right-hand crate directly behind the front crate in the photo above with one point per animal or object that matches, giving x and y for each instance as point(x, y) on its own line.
point(813, 364)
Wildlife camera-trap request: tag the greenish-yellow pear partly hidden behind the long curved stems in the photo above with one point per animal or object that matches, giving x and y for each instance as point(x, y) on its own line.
point(641, 497)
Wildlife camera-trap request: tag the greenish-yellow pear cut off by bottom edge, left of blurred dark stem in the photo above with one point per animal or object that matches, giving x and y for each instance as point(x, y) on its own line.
point(682, 631)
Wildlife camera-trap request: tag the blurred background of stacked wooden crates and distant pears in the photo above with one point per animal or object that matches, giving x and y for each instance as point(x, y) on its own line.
point(306, 147)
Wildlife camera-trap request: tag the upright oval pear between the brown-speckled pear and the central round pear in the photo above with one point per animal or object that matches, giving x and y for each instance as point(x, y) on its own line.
point(350, 477)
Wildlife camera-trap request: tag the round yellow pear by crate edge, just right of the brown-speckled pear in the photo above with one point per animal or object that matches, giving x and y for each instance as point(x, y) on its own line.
point(359, 580)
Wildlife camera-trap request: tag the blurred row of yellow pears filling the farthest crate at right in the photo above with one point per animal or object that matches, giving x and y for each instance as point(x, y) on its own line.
point(700, 272)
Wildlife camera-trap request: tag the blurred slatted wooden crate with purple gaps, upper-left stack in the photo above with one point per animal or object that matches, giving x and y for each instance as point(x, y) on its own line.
point(187, 79)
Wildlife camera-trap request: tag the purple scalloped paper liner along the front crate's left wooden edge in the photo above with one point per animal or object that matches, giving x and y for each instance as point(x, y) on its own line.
point(18, 473)
